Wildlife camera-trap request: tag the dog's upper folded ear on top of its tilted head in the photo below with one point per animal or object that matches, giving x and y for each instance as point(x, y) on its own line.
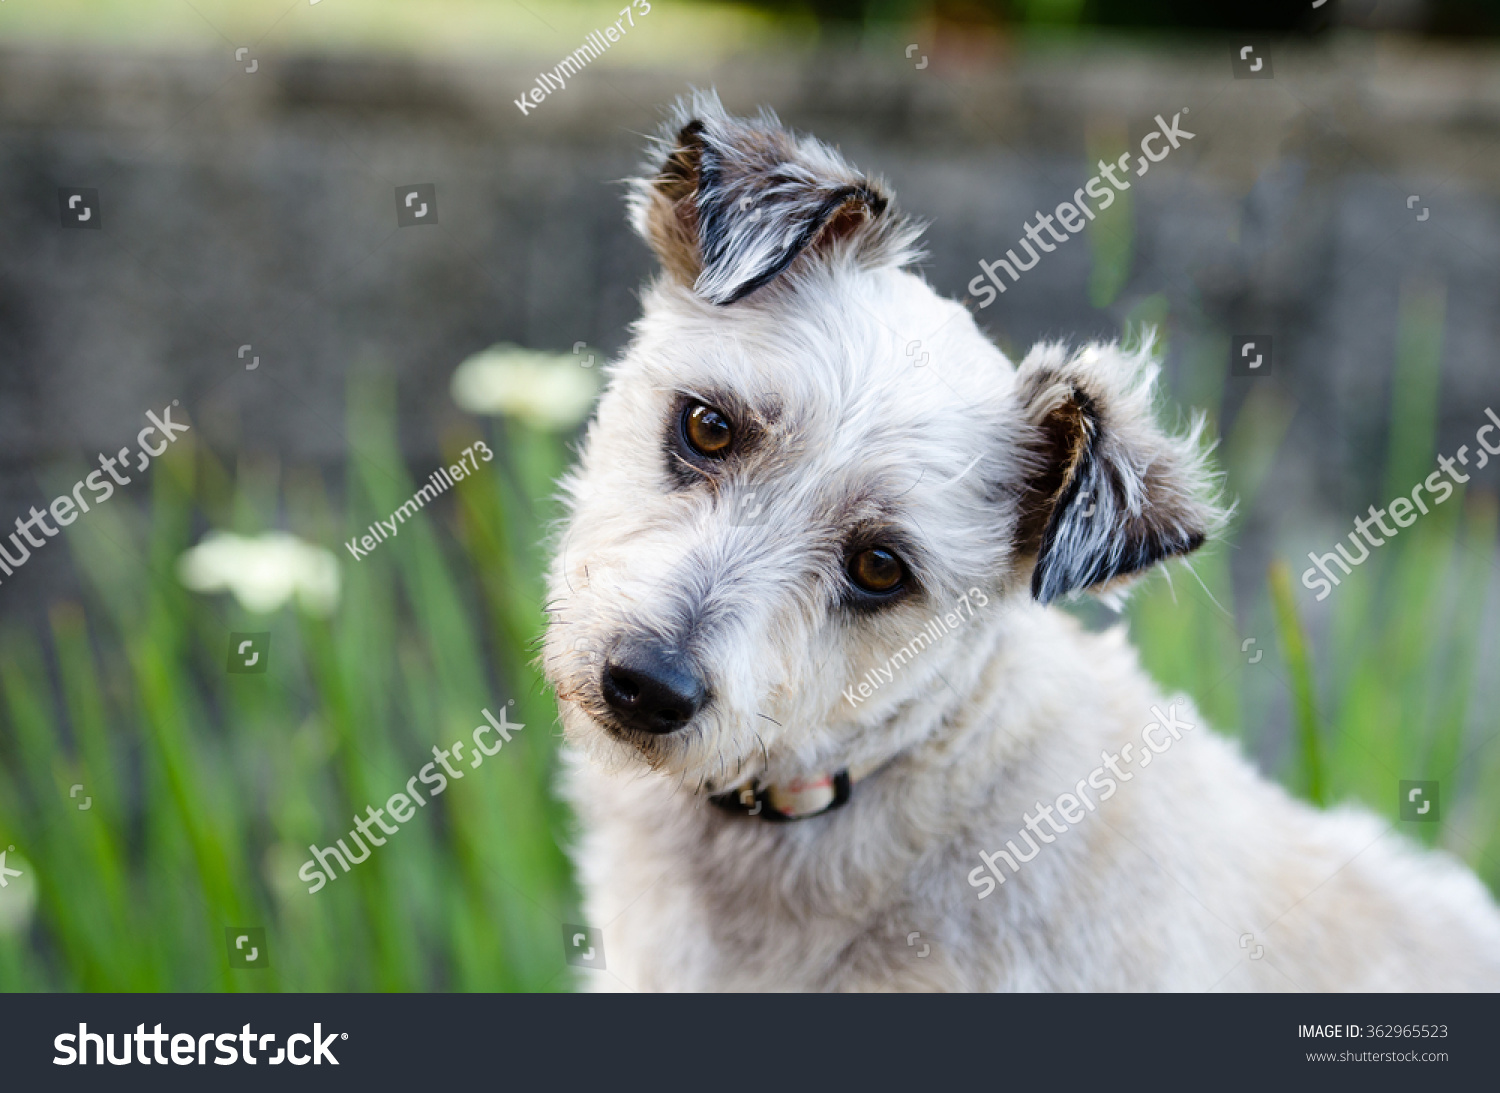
point(734, 203)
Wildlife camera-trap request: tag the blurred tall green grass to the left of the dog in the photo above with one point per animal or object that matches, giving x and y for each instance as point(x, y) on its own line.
point(209, 788)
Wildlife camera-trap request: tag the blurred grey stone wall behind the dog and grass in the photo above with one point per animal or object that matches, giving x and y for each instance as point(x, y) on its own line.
point(260, 209)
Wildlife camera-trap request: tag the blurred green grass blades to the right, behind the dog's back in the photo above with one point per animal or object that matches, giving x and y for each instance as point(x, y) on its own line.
point(1391, 690)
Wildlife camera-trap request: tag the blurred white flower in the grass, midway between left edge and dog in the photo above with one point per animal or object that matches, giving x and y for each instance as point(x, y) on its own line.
point(265, 572)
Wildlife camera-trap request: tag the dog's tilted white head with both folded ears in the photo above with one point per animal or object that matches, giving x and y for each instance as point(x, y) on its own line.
point(808, 457)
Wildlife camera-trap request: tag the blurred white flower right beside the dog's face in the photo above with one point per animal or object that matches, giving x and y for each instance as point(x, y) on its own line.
point(542, 389)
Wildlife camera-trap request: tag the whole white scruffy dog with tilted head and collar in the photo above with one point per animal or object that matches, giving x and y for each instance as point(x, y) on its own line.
point(827, 732)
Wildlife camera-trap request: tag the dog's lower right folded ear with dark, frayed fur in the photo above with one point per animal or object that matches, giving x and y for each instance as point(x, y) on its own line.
point(1108, 493)
